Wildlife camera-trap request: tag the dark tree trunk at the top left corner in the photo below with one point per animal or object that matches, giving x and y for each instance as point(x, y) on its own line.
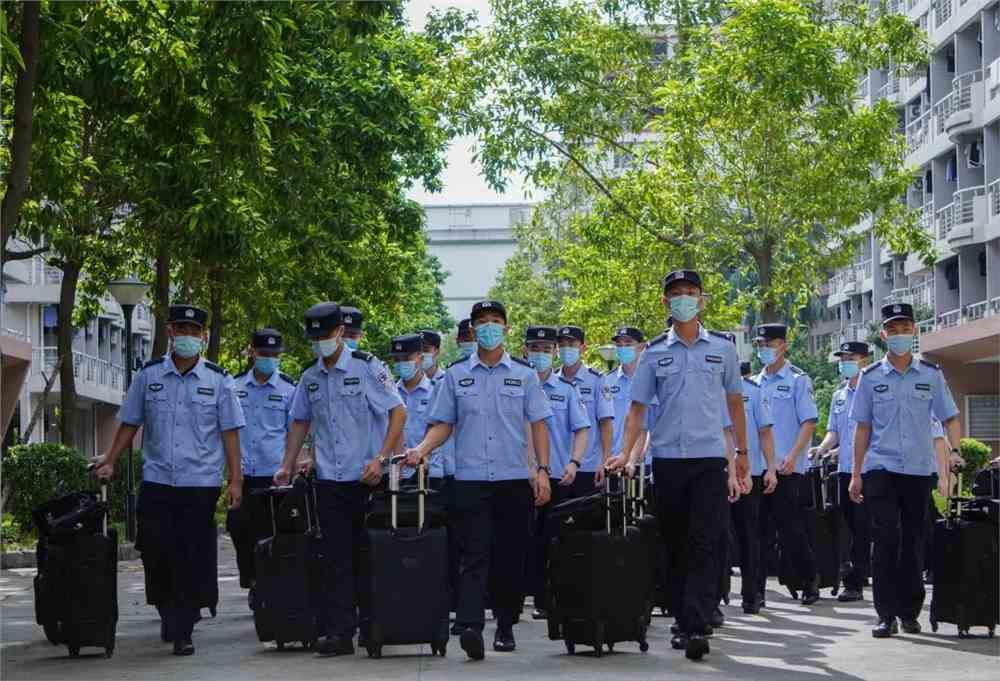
point(20, 149)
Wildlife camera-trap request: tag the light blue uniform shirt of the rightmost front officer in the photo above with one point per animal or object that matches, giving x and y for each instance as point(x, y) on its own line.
point(900, 409)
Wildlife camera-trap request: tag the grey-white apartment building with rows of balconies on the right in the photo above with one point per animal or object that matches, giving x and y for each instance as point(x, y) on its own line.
point(949, 113)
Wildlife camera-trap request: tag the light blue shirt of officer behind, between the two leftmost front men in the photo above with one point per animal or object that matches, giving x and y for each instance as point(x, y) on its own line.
point(267, 408)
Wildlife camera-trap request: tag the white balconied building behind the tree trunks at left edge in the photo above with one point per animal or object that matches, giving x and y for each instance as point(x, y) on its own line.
point(28, 332)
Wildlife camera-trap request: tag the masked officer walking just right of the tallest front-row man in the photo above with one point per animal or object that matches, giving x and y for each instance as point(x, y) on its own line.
point(789, 394)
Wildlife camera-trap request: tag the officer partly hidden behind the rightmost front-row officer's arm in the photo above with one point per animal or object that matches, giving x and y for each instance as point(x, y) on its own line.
point(854, 356)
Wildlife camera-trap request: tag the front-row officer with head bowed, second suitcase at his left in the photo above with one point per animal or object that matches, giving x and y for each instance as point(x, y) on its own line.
point(338, 397)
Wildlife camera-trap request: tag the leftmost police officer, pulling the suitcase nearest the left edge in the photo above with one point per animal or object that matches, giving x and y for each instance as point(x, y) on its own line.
point(191, 420)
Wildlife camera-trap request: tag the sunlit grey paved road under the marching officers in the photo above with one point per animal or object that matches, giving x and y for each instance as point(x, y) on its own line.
point(826, 641)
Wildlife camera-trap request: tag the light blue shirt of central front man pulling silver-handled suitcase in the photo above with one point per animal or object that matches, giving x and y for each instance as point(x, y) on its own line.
point(490, 408)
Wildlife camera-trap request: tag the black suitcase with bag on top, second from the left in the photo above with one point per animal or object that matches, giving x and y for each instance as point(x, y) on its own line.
point(286, 594)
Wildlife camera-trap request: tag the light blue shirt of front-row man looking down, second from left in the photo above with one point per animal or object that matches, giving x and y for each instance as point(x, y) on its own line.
point(342, 404)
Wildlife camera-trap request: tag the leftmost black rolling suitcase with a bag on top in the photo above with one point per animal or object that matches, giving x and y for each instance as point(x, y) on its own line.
point(76, 588)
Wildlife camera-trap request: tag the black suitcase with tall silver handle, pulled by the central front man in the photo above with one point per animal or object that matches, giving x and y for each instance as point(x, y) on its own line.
point(407, 591)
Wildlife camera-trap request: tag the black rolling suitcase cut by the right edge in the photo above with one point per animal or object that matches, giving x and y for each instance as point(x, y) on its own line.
point(965, 569)
